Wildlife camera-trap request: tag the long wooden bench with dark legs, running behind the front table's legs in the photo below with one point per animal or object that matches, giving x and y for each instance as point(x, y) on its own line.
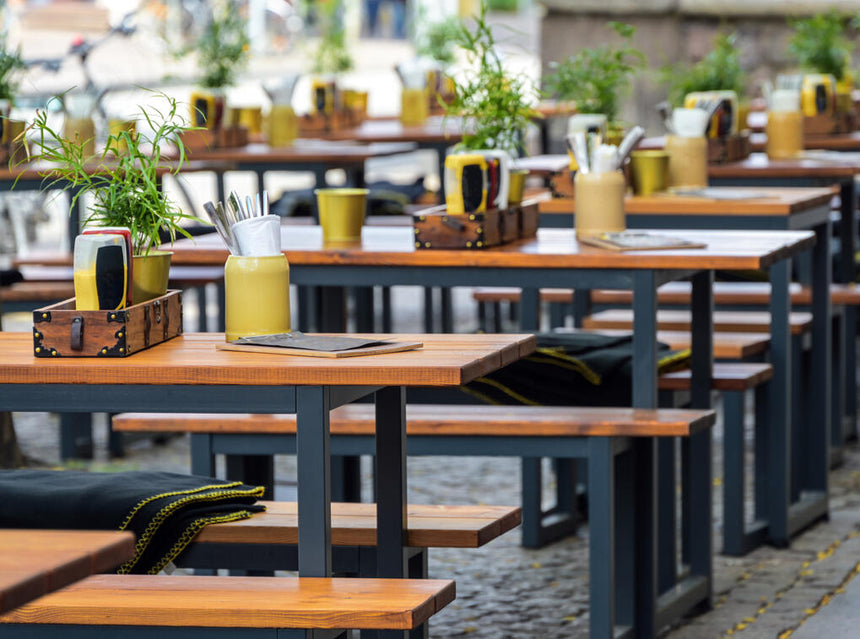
point(605, 437)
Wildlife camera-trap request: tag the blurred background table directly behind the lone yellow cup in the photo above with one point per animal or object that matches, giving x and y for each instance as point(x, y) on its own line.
point(316, 156)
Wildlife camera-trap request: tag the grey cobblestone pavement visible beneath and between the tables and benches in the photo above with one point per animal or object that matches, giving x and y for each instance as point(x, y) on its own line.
point(505, 591)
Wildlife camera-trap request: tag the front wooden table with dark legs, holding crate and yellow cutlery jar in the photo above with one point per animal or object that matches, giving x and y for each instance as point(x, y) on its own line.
point(187, 374)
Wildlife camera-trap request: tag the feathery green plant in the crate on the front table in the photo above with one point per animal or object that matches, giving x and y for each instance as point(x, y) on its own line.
point(124, 179)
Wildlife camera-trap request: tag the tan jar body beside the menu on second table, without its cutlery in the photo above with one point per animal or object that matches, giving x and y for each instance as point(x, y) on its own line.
point(599, 203)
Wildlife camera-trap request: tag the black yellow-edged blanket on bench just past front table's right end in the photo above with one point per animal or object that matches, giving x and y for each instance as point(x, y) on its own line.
point(572, 369)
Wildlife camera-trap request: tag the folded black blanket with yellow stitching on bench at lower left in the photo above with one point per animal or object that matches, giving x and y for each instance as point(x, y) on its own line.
point(163, 510)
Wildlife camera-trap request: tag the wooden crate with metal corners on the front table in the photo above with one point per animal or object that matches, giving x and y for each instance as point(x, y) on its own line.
point(59, 330)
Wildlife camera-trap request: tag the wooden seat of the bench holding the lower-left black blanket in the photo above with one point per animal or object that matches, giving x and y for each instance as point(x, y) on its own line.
point(354, 524)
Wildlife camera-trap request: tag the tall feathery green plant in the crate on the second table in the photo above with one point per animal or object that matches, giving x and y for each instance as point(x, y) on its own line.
point(495, 105)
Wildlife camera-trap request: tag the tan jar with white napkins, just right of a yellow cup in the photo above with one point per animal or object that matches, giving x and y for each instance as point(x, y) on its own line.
point(688, 149)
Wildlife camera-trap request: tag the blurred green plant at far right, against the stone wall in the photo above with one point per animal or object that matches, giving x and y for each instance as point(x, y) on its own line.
point(820, 45)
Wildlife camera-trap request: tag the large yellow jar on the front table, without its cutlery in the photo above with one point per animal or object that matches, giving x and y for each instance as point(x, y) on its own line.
point(256, 296)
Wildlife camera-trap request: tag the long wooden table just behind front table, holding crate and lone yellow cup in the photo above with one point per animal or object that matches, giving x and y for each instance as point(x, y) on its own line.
point(387, 257)
